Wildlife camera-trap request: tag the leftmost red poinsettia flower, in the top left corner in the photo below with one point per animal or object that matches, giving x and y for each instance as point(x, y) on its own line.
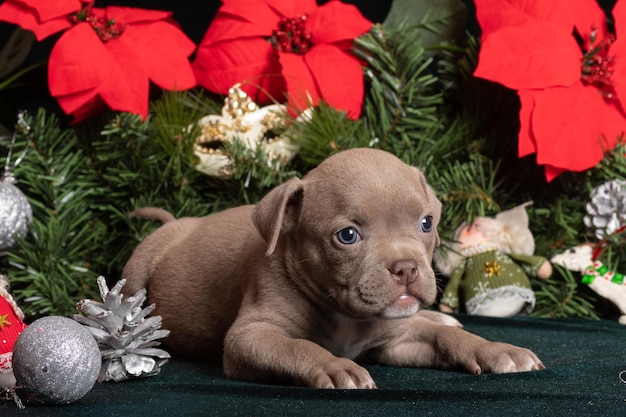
point(106, 56)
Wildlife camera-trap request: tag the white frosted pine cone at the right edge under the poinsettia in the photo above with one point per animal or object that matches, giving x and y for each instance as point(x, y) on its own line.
point(606, 208)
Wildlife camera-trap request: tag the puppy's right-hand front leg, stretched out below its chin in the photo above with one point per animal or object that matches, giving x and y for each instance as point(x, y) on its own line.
point(427, 344)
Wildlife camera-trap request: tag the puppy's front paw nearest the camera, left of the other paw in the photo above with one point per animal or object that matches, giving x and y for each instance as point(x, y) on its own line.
point(340, 373)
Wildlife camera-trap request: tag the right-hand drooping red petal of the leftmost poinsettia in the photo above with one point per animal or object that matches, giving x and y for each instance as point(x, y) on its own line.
point(163, 50)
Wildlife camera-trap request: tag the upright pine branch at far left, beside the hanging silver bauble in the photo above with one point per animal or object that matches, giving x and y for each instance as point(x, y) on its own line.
point(51, 265)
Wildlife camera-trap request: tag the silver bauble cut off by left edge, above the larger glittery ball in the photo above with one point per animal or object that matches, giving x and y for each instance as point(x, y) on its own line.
point(15, 214)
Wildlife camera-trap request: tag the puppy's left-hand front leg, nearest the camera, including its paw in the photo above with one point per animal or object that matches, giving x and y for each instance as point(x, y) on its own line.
point(262, 352)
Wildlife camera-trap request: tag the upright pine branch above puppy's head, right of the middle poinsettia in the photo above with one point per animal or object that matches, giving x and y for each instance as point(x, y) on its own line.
point(403, 102)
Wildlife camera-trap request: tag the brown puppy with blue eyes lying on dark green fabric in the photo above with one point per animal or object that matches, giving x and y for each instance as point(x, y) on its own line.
point(330, 268)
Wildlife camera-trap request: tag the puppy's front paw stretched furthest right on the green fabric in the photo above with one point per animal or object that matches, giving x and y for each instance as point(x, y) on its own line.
point(501, 358)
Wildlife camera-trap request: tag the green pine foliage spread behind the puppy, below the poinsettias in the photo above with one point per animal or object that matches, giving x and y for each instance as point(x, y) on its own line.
point(422, 103)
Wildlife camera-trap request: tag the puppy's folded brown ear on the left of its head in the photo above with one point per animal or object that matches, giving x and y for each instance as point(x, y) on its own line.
point(278, 211)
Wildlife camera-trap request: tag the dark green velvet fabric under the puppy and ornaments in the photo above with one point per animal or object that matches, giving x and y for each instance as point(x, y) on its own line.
point(583, 359)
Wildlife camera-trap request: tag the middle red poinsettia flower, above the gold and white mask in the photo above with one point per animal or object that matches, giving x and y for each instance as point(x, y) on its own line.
point(275, 47)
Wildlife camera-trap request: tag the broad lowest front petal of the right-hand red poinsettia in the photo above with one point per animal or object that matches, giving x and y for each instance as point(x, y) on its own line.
point(573, 127)
